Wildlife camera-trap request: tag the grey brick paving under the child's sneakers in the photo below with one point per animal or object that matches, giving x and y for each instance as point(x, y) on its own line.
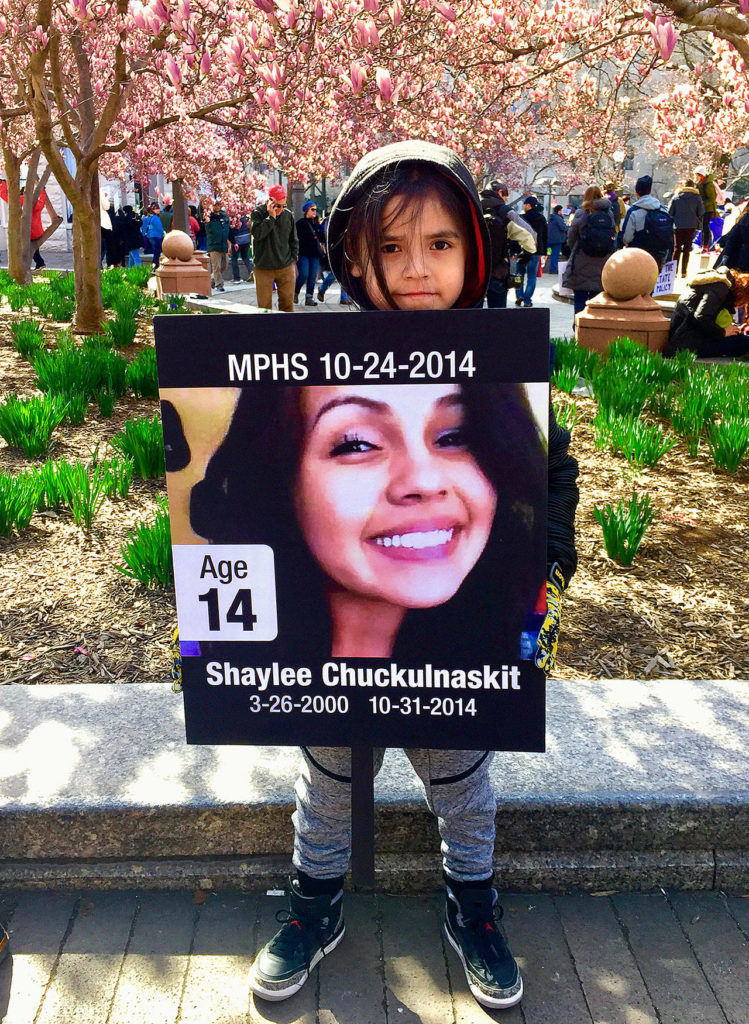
point(171, 959)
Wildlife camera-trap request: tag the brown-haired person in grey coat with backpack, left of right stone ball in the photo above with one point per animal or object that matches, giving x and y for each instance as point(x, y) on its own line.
point(593, 239)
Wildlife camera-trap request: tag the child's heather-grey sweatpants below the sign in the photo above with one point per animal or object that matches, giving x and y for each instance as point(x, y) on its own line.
point(459, 793)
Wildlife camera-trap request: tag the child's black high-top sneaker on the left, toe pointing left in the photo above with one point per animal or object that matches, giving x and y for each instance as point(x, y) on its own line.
point(312, 928)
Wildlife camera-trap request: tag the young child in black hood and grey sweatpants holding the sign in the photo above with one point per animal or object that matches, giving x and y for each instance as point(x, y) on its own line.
point(407, 233)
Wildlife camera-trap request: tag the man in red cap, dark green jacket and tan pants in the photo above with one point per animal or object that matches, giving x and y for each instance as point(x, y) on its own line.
point(276, 249)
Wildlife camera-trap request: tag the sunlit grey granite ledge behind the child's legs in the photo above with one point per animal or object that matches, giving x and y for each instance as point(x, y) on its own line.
point(643, 785)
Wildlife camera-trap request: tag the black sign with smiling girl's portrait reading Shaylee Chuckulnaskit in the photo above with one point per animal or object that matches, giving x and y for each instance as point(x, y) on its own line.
point(358, 507)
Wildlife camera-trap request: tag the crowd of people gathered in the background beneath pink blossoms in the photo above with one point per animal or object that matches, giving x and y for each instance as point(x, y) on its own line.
point(290, 257)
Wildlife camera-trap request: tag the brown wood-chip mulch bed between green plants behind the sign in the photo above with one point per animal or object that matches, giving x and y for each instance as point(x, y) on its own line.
point(681, 611)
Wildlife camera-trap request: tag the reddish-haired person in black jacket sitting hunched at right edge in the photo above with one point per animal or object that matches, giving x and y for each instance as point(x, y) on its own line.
point(703, 318)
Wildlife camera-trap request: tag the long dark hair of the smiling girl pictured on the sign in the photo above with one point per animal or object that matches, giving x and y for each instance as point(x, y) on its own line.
point(247, 497)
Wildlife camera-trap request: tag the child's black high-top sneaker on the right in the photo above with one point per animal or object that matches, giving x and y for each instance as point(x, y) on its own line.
point(473, 929)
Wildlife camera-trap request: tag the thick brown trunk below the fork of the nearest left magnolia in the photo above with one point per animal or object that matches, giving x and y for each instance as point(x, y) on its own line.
point(88, 254)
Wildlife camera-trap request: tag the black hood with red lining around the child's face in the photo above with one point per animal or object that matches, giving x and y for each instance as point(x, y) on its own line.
point(369, 180)
